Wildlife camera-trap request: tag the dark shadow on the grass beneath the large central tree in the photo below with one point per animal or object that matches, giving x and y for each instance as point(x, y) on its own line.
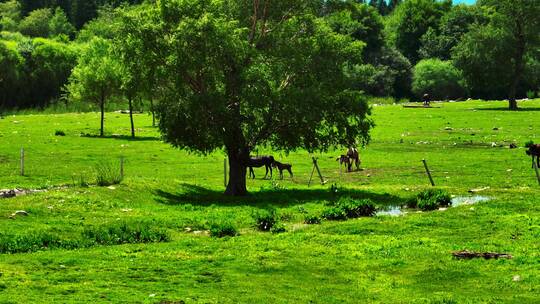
point(196, 195)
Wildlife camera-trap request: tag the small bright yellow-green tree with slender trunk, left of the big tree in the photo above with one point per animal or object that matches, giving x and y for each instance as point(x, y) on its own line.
point(96, 77)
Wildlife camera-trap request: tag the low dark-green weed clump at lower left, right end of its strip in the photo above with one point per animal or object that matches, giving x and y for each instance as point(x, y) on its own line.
point(125, 233)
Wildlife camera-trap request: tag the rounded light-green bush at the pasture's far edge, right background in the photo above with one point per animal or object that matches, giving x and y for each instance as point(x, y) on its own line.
point(440, 79)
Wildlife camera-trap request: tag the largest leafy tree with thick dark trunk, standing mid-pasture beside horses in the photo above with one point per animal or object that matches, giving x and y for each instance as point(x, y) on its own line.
point(239, 74)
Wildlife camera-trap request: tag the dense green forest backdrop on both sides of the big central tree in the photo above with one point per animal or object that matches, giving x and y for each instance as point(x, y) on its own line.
point(489, 50)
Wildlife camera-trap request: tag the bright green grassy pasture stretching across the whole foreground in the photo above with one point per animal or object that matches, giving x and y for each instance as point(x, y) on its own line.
point(381, 259)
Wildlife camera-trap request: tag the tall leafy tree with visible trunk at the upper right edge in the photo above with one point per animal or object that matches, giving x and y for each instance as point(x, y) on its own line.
point(497, 54)
